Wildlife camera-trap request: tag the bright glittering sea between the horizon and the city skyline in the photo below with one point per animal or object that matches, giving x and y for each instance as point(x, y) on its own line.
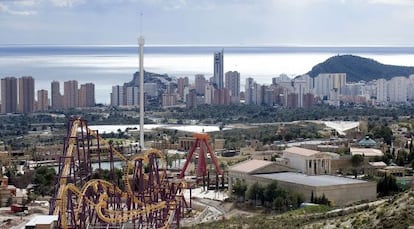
point(109, 65)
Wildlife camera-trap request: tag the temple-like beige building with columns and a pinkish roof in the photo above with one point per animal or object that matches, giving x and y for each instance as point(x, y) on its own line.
point(310, 162)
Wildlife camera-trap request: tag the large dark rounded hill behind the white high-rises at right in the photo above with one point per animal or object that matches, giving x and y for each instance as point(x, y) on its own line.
point(359, 68)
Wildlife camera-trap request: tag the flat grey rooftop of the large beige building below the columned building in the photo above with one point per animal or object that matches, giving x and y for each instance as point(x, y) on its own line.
point(316, 181)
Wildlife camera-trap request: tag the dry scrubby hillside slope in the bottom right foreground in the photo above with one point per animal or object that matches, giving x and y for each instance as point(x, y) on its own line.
point(396, 212)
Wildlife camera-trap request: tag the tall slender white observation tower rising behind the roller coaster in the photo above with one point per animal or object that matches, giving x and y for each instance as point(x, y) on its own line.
point(141, 42)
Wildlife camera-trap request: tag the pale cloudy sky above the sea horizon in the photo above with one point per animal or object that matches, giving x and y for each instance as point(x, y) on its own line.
point(208, 22)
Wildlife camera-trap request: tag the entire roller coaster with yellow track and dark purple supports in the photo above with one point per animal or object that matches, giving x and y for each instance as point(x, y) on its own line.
point(146, 197)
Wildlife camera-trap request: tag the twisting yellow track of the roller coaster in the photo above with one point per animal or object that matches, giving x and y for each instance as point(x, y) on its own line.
point(110, 216)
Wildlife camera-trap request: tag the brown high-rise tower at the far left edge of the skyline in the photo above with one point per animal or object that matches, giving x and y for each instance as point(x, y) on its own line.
point(9, 95)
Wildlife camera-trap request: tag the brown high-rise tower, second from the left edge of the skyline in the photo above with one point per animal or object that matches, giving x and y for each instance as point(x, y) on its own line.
point(26, 95)
